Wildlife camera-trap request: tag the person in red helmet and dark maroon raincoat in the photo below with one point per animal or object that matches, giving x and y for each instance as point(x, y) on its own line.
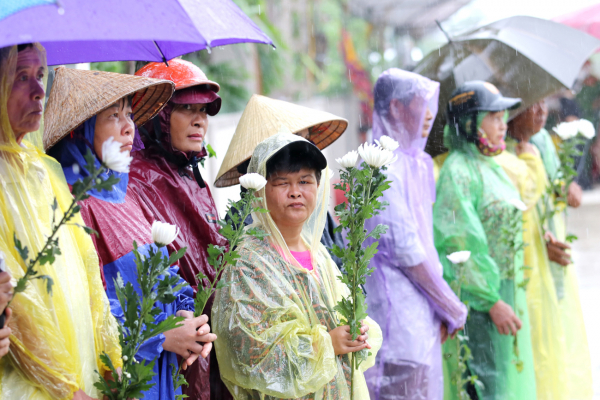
point(165, 177)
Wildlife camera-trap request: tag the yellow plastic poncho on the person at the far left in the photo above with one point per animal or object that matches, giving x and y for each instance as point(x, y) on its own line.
point(56, 339)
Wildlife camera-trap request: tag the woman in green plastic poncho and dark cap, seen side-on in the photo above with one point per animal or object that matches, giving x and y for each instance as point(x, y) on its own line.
point(478, 209)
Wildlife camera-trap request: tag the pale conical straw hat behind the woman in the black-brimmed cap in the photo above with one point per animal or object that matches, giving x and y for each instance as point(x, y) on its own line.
point(262, 118)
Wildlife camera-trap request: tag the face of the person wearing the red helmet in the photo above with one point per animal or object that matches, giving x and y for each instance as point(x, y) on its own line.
point(189, 123)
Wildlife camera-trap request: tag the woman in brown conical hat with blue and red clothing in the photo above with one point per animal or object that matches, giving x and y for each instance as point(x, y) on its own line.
point(101, 107)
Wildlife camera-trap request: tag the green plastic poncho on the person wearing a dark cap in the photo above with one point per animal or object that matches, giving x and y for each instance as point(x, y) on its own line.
point(474, 207)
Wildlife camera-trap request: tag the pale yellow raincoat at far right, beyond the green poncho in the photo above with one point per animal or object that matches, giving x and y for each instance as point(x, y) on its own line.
point(561, 374)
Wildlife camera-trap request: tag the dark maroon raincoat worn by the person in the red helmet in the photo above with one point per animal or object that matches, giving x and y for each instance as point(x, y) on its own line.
point(175, 197)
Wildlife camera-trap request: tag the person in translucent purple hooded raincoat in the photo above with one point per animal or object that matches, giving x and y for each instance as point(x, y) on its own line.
point(407, 294)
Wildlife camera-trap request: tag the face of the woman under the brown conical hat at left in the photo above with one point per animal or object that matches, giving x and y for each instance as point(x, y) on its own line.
point(117, 122)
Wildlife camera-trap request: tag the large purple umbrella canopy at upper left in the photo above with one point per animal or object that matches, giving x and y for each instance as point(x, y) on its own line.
point(115, 30)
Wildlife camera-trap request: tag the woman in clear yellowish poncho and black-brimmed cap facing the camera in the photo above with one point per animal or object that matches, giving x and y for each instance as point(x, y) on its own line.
point(279, 336)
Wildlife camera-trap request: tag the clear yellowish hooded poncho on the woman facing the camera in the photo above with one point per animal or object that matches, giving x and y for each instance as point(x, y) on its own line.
point(273, 319)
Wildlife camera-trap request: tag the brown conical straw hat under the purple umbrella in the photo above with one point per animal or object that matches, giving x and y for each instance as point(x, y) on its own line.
point(78, 95)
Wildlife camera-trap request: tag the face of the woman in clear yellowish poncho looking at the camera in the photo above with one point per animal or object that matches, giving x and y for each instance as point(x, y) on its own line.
point(291, 197)
